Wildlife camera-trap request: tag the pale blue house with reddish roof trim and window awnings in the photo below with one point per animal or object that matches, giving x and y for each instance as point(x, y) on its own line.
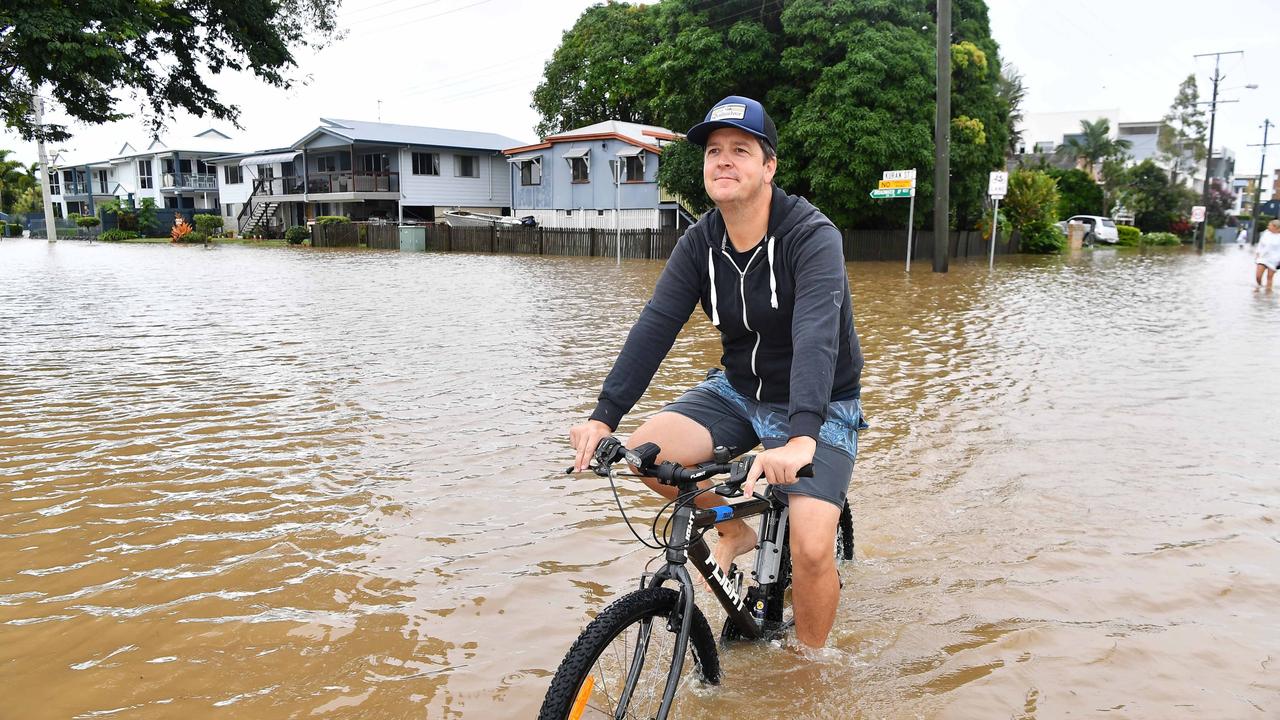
point(568, 180)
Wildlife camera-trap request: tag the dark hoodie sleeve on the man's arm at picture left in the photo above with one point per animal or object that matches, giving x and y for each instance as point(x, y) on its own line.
point(651, 339)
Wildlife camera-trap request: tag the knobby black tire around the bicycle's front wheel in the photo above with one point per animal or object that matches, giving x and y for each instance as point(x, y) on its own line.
point(584, 659)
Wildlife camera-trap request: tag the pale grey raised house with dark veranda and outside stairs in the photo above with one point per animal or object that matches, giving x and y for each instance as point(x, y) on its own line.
point(367, 171)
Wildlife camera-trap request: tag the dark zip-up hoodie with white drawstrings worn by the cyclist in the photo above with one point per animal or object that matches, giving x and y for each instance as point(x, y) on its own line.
point(787, 321)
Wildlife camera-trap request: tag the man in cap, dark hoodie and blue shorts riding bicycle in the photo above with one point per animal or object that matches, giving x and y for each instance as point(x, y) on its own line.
point(770, 272)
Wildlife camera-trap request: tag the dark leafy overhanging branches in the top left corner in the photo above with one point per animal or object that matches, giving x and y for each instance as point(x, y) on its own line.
point(86, 56)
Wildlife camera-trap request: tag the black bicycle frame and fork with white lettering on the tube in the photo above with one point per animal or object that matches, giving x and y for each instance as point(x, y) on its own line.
point(728, 589)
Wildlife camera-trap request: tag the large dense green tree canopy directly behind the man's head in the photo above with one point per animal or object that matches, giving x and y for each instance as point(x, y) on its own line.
point(851, 85)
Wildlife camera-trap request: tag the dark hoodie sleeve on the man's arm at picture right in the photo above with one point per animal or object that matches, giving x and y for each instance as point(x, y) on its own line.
point(821, 293)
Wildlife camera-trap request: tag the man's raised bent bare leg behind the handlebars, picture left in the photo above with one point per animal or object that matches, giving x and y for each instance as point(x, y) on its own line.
point(687, 443)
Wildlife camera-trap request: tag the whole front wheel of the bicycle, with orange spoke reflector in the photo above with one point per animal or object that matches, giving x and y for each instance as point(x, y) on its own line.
point(619, 667)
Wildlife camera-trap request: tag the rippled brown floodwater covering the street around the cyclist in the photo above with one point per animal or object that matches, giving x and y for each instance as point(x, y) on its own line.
point(295, 484)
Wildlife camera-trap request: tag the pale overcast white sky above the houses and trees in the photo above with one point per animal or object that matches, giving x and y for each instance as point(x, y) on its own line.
point(473, 65)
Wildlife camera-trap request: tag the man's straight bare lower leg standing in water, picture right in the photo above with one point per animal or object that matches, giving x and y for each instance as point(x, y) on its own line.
point(815, 581)
